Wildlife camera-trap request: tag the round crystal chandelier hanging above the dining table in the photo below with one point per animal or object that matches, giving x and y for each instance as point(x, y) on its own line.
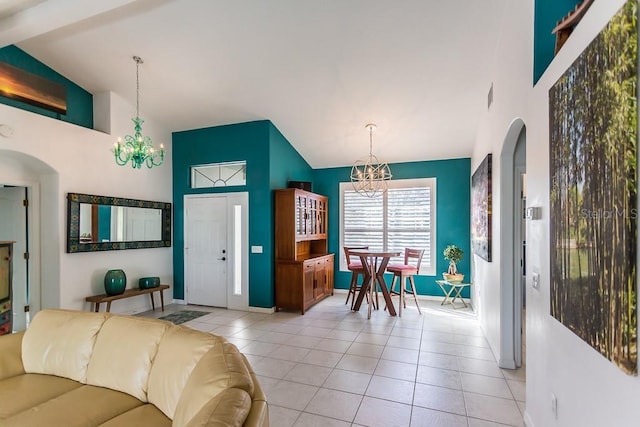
point(369, 176)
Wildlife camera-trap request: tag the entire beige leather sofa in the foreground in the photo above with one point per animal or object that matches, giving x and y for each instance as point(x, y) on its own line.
point(75, 368)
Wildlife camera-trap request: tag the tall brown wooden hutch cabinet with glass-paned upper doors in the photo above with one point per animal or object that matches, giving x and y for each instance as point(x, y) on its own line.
point(304, 269)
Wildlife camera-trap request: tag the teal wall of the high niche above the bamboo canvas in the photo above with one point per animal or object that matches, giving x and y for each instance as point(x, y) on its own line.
point(547, 13)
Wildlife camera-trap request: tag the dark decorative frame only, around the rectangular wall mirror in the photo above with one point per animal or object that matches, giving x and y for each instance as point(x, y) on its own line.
point(73, 223)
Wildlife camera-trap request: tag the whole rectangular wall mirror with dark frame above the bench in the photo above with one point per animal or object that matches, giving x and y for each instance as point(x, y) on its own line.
point(103, 223)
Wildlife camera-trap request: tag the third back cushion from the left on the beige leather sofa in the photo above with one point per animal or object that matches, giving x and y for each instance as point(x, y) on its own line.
point(180, 349)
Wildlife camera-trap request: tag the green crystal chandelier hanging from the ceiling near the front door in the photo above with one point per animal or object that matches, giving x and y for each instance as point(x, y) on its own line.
point(137, 148)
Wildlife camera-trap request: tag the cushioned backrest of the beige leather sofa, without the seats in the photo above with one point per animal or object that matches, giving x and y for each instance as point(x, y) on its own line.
point(176, 368)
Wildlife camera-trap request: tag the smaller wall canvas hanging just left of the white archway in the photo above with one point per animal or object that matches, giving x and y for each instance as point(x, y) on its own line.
point(481, 210)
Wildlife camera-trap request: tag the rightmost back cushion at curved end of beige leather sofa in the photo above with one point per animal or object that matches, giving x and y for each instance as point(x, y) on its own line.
point(221, 368)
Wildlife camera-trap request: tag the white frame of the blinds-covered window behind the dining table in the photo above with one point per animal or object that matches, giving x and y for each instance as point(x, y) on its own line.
point(429, 265)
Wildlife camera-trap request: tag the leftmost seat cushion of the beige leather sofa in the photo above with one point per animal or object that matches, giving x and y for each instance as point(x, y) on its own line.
point(21, 392)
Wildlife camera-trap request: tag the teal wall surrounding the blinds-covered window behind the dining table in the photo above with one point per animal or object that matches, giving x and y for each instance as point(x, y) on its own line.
point(452, 213)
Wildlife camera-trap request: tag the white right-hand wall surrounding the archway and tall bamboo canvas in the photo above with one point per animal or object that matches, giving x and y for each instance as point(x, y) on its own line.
point(591, 391)
